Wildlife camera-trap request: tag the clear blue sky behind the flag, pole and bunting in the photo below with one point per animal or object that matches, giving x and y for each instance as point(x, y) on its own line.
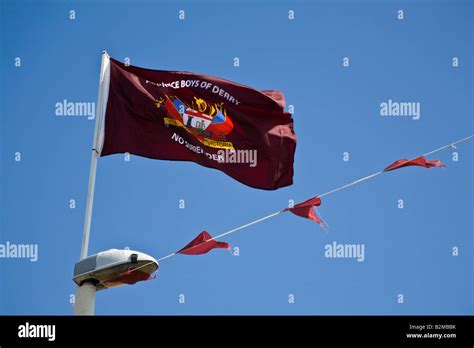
point(407, 251)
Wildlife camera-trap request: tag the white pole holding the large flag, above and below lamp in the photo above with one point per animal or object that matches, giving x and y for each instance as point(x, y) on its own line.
point(84, 303)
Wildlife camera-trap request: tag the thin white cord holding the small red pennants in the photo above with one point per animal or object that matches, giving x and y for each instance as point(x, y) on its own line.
point(355, 182)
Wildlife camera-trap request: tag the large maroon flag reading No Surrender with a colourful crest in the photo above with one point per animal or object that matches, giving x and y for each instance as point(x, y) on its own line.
point(184, 116)
